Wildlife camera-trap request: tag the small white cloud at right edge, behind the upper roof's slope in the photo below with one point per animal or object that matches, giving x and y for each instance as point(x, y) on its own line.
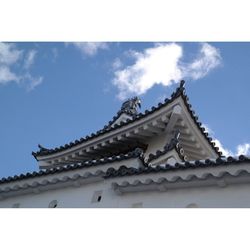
point(242, 149)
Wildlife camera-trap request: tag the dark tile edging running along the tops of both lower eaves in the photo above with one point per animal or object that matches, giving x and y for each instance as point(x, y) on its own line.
point(111, 172)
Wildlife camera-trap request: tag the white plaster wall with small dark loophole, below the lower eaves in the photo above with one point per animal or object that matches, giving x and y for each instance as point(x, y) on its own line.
point(237, 195)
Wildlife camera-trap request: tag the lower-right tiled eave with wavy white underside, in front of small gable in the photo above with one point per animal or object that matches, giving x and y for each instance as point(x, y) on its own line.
point(220, 173)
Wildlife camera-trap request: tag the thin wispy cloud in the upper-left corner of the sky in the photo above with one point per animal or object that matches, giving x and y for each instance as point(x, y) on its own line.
point(12, 63)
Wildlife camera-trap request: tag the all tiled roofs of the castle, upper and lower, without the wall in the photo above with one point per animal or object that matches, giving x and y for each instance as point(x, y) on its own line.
point(130, 154)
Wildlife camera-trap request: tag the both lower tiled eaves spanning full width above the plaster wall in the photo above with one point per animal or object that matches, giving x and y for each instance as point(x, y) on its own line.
point(125, 178)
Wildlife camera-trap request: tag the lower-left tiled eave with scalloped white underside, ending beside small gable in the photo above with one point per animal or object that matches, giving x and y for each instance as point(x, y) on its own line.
point(68, 176)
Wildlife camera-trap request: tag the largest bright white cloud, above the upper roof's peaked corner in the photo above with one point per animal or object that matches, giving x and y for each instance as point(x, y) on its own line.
point(158, 65)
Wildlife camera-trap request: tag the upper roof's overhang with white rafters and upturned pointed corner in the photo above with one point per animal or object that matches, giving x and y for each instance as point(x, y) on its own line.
point(174, 113)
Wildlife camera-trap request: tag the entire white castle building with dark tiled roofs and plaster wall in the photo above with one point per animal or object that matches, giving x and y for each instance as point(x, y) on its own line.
point(160, 158)
